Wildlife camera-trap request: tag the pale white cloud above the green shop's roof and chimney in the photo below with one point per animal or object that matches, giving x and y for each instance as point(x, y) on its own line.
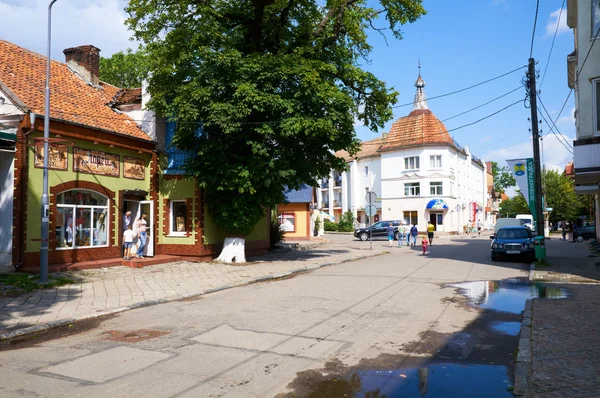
point(74, 23)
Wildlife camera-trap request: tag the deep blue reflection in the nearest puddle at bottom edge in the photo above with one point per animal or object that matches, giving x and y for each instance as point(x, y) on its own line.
point(440, 380)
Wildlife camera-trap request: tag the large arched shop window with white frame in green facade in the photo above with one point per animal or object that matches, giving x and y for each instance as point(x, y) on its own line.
point(81, 219)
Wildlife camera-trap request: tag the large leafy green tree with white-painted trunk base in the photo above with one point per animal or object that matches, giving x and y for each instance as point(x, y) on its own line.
point(277, 85)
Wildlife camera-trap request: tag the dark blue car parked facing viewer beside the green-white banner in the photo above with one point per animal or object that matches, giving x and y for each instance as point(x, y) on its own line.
point(513, 242)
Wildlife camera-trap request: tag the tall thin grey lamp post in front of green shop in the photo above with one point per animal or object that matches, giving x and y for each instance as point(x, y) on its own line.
point(45, 201)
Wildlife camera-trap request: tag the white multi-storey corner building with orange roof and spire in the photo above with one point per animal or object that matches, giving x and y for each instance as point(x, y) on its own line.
point(418, 172)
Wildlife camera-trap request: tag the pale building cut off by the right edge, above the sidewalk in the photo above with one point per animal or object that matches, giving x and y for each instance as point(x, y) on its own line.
point(583, 16)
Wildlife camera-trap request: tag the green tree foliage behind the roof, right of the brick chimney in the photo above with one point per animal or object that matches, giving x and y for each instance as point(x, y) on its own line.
point(125, 69)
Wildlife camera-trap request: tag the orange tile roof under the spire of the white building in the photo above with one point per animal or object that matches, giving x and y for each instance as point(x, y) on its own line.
point(419, 128)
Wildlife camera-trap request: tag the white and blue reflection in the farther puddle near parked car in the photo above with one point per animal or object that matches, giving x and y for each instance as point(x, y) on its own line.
point(507, 295)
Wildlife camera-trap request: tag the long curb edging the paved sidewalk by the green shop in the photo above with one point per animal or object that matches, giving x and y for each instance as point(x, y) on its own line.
point(62, 322)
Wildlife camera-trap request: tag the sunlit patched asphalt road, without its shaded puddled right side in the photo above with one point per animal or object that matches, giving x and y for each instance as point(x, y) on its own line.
point(277, 338)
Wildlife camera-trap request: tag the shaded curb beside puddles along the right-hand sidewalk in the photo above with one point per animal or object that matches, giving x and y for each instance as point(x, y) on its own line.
point(524, 357)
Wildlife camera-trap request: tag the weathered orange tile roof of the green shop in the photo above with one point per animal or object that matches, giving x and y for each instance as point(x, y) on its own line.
point(71, 98)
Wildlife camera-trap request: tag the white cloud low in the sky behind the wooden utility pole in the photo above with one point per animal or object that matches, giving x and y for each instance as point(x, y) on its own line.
point(555, 155)
